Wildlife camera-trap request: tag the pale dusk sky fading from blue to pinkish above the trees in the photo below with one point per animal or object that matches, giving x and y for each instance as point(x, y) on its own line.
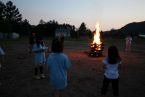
point(109, 13)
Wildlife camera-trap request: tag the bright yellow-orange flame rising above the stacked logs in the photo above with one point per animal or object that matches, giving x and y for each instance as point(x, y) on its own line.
point(97, 35)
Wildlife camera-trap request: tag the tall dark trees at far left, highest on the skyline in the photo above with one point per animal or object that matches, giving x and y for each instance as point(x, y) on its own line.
point(11, 19)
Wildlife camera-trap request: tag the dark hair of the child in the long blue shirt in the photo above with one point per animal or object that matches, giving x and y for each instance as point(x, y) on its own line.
point(57, 45)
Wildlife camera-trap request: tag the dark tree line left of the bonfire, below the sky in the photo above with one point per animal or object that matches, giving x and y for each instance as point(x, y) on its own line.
point(11, 21)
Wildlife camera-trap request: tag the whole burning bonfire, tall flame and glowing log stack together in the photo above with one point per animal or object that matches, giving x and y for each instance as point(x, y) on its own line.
point(96, 47)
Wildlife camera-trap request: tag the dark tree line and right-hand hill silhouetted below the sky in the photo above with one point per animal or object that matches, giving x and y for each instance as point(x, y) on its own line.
point(11, 21)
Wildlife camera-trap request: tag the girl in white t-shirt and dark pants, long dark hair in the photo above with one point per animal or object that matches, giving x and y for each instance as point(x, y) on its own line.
point(111, 71)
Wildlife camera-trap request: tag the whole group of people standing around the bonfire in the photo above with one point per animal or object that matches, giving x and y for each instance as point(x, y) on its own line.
point(59, 64)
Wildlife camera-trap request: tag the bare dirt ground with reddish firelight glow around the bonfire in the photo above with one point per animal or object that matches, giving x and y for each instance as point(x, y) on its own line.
point(86, 73)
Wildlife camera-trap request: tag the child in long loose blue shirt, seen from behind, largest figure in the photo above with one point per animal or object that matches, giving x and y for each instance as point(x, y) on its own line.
point(58, 65)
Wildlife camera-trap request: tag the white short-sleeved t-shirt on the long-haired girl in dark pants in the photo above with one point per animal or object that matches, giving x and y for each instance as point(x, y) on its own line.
point(111, 70)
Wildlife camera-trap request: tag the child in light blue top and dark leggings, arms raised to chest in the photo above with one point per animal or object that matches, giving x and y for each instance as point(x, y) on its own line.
point(39, 49)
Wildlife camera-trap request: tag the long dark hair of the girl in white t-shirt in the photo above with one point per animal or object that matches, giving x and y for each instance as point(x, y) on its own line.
point(113, 55)
